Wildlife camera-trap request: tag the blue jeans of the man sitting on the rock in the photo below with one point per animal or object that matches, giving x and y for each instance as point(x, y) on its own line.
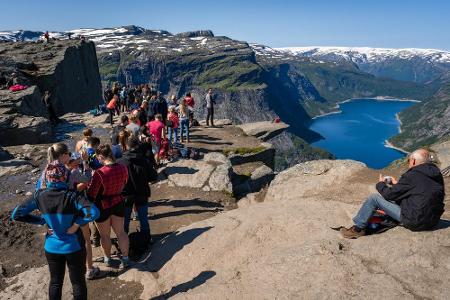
point(372, 203)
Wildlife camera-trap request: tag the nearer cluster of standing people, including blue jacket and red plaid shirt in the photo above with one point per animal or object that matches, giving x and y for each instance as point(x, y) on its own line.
point(87, 193)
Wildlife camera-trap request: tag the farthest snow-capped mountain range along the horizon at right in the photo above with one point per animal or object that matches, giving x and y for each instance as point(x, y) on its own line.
point(417, 65)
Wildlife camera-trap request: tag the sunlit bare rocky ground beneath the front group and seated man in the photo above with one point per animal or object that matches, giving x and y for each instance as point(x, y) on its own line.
point(277, 243)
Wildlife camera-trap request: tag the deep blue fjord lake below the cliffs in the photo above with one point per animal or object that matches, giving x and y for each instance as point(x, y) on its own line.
point(360, 131)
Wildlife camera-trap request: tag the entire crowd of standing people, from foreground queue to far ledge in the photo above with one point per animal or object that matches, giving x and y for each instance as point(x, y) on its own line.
point(84, 194)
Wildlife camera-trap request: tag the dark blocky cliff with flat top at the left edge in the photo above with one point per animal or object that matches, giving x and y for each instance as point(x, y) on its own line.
point(68, 69)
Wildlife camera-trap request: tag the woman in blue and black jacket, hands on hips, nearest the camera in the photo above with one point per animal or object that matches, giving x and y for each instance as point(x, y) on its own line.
point(64, 211)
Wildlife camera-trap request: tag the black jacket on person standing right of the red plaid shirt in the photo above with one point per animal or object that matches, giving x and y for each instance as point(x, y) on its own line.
point(140, 173)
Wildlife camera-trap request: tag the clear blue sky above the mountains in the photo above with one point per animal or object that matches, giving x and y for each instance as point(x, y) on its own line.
point(374, 23)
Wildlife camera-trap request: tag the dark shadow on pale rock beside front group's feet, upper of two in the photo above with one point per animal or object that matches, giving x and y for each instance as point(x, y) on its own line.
point(167, 248)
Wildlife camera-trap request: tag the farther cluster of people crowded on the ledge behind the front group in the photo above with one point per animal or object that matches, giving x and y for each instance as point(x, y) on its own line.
point(146, 114)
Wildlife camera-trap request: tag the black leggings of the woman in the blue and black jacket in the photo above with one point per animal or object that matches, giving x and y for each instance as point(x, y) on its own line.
point(77, 268)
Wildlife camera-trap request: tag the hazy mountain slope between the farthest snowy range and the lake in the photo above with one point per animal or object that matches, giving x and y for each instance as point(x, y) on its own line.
point(335, 81)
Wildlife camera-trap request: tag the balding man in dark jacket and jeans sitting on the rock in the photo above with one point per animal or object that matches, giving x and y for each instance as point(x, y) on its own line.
point(416, 199)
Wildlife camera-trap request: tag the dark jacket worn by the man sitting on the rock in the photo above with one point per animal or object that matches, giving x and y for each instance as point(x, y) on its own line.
point(420, 193)
